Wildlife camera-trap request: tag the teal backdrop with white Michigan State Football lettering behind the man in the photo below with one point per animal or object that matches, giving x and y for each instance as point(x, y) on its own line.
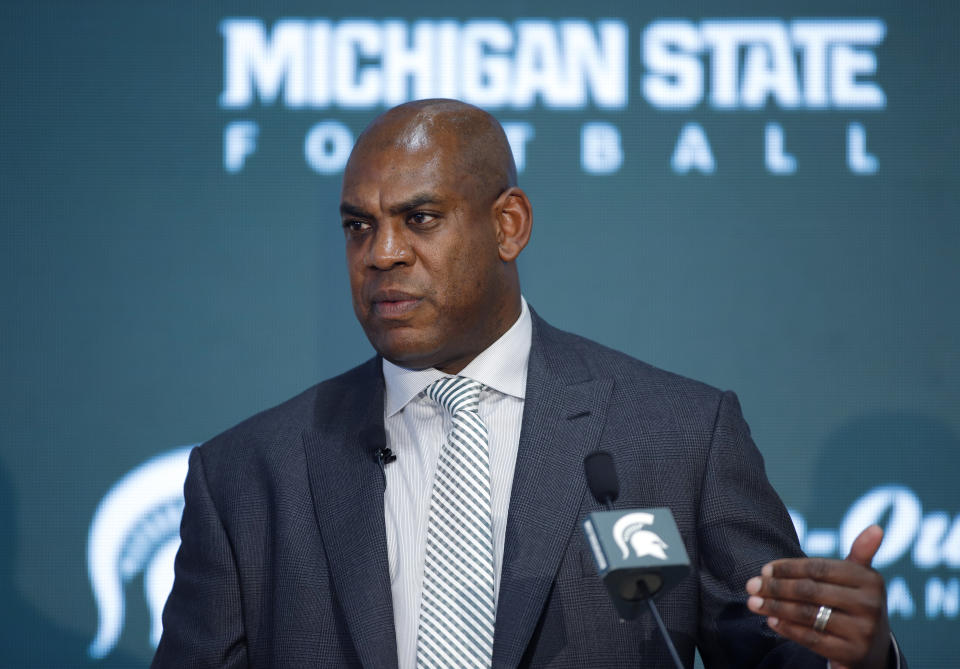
point(763, 197)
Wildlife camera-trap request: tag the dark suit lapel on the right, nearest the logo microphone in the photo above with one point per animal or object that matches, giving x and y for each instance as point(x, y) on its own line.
point(564, 414)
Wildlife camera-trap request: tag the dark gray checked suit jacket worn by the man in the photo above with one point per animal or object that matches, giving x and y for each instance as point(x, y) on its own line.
point(284, 556)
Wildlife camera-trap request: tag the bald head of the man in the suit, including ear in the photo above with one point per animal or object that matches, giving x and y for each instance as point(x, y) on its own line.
point(434, 222)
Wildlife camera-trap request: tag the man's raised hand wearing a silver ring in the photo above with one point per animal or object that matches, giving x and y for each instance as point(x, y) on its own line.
point(791, 592)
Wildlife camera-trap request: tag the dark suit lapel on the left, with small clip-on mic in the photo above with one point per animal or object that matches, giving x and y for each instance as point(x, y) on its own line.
point(348, 485)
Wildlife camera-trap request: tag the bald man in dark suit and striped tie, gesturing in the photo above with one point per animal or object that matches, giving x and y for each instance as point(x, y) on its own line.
point(310, 532)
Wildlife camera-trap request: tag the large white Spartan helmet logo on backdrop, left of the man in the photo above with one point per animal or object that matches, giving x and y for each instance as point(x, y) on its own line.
point(136, 528)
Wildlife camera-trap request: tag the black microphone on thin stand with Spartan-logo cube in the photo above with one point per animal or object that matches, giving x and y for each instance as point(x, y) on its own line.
point(639, 552)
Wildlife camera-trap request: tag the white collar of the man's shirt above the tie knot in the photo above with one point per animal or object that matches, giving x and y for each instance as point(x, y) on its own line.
point(501, 366)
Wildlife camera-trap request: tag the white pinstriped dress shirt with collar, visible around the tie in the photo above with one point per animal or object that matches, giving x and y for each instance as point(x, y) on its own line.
point(416, 428)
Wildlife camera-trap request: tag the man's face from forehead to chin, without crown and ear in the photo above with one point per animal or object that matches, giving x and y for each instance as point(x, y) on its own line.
point(427, 281)
